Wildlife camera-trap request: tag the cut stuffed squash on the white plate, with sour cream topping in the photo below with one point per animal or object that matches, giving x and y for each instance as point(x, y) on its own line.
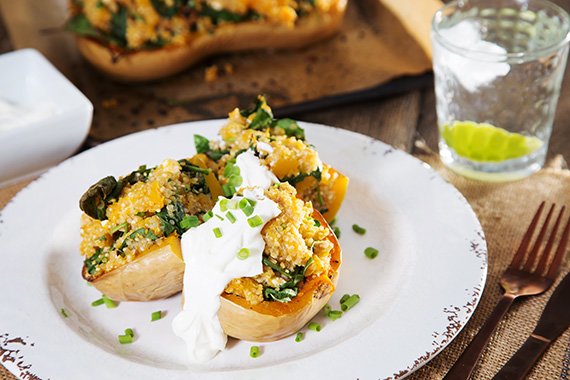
point(257, 200)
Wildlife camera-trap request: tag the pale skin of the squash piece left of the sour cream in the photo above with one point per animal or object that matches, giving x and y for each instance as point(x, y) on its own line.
point(157, 273)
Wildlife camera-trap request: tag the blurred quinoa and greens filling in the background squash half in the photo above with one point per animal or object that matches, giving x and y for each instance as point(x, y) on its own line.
point(150, 24)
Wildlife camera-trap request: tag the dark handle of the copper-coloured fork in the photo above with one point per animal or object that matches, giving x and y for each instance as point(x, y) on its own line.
point(464, 366)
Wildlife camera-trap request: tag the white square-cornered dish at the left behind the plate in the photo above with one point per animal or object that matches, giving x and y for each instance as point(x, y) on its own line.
point(58, 115)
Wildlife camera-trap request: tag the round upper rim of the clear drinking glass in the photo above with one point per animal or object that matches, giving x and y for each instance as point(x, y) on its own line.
point(501, 57)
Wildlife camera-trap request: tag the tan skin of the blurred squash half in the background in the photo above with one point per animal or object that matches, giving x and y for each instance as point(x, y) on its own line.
point(147, 65)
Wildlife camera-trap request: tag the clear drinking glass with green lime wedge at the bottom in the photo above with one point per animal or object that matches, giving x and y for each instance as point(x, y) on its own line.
point(498, 67)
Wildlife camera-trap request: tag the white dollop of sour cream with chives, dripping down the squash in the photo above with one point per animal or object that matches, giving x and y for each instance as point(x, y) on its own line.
point(228, 245)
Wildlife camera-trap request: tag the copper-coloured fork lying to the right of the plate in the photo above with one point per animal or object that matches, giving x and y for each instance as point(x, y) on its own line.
point(529, 273)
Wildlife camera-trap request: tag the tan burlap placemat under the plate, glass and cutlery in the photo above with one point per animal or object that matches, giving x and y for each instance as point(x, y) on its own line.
point(504, 211)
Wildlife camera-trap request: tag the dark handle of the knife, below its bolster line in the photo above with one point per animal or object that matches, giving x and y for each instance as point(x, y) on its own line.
point(520, 364)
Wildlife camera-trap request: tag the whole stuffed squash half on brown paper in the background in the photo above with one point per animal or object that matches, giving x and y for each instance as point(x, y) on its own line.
point(138, 40)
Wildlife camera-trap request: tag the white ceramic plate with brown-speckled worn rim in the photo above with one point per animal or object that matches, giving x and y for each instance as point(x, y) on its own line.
point(415, 296)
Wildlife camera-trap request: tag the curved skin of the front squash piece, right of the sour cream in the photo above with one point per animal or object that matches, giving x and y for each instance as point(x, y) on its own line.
point(269, 321)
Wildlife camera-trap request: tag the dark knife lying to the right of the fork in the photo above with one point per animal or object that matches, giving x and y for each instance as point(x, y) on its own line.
point(554, 320)
